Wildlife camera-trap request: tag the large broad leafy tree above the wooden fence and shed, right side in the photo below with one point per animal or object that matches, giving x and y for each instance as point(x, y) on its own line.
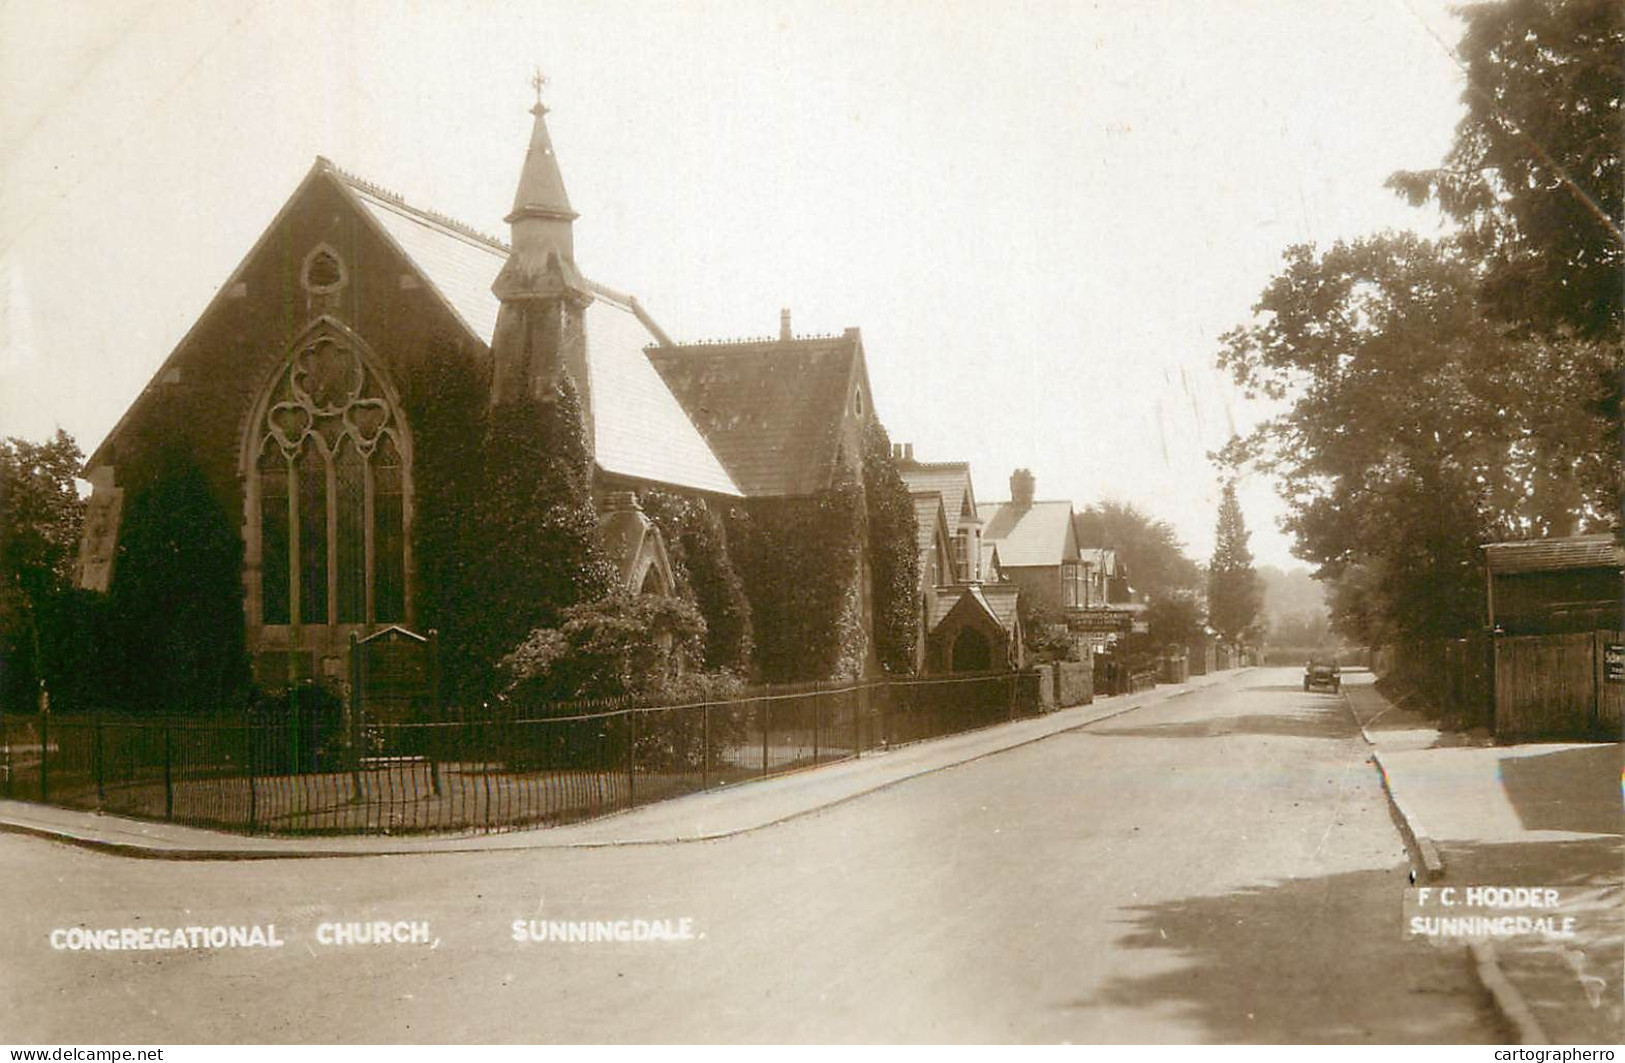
point(1416, 428)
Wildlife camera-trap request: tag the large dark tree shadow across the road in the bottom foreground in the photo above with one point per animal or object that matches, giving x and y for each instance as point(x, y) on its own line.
point(1302, 961)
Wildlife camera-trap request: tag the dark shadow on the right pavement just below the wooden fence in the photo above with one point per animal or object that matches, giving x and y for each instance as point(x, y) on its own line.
point(1567, 791)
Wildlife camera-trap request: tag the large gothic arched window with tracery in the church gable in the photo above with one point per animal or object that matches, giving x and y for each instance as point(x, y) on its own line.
point(331, 492)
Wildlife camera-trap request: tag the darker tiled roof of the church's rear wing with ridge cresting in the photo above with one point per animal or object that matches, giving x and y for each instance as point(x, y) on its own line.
point(773, 410)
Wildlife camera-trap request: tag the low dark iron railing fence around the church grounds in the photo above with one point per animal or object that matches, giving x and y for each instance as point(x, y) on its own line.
point(313, 774)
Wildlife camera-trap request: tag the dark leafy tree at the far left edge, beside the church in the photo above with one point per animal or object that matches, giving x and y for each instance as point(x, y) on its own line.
point(40, 531)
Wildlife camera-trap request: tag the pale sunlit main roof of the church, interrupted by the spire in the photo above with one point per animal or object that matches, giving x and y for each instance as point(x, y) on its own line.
point(639, 428)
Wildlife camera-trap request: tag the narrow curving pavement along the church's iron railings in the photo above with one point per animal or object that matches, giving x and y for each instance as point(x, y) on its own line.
point(711, 815)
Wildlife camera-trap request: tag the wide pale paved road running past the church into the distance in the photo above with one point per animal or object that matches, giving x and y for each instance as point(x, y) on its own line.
point(1215, 869)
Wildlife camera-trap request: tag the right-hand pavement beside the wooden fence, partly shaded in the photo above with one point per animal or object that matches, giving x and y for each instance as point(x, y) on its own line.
point(1532, 815)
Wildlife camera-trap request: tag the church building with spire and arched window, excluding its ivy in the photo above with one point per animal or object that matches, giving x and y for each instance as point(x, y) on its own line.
point(293, 396)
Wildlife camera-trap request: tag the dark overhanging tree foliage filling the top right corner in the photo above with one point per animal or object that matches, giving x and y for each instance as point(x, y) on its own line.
point(1535, 175)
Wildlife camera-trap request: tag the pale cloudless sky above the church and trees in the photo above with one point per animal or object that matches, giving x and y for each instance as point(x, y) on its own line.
point(1042, 217)
